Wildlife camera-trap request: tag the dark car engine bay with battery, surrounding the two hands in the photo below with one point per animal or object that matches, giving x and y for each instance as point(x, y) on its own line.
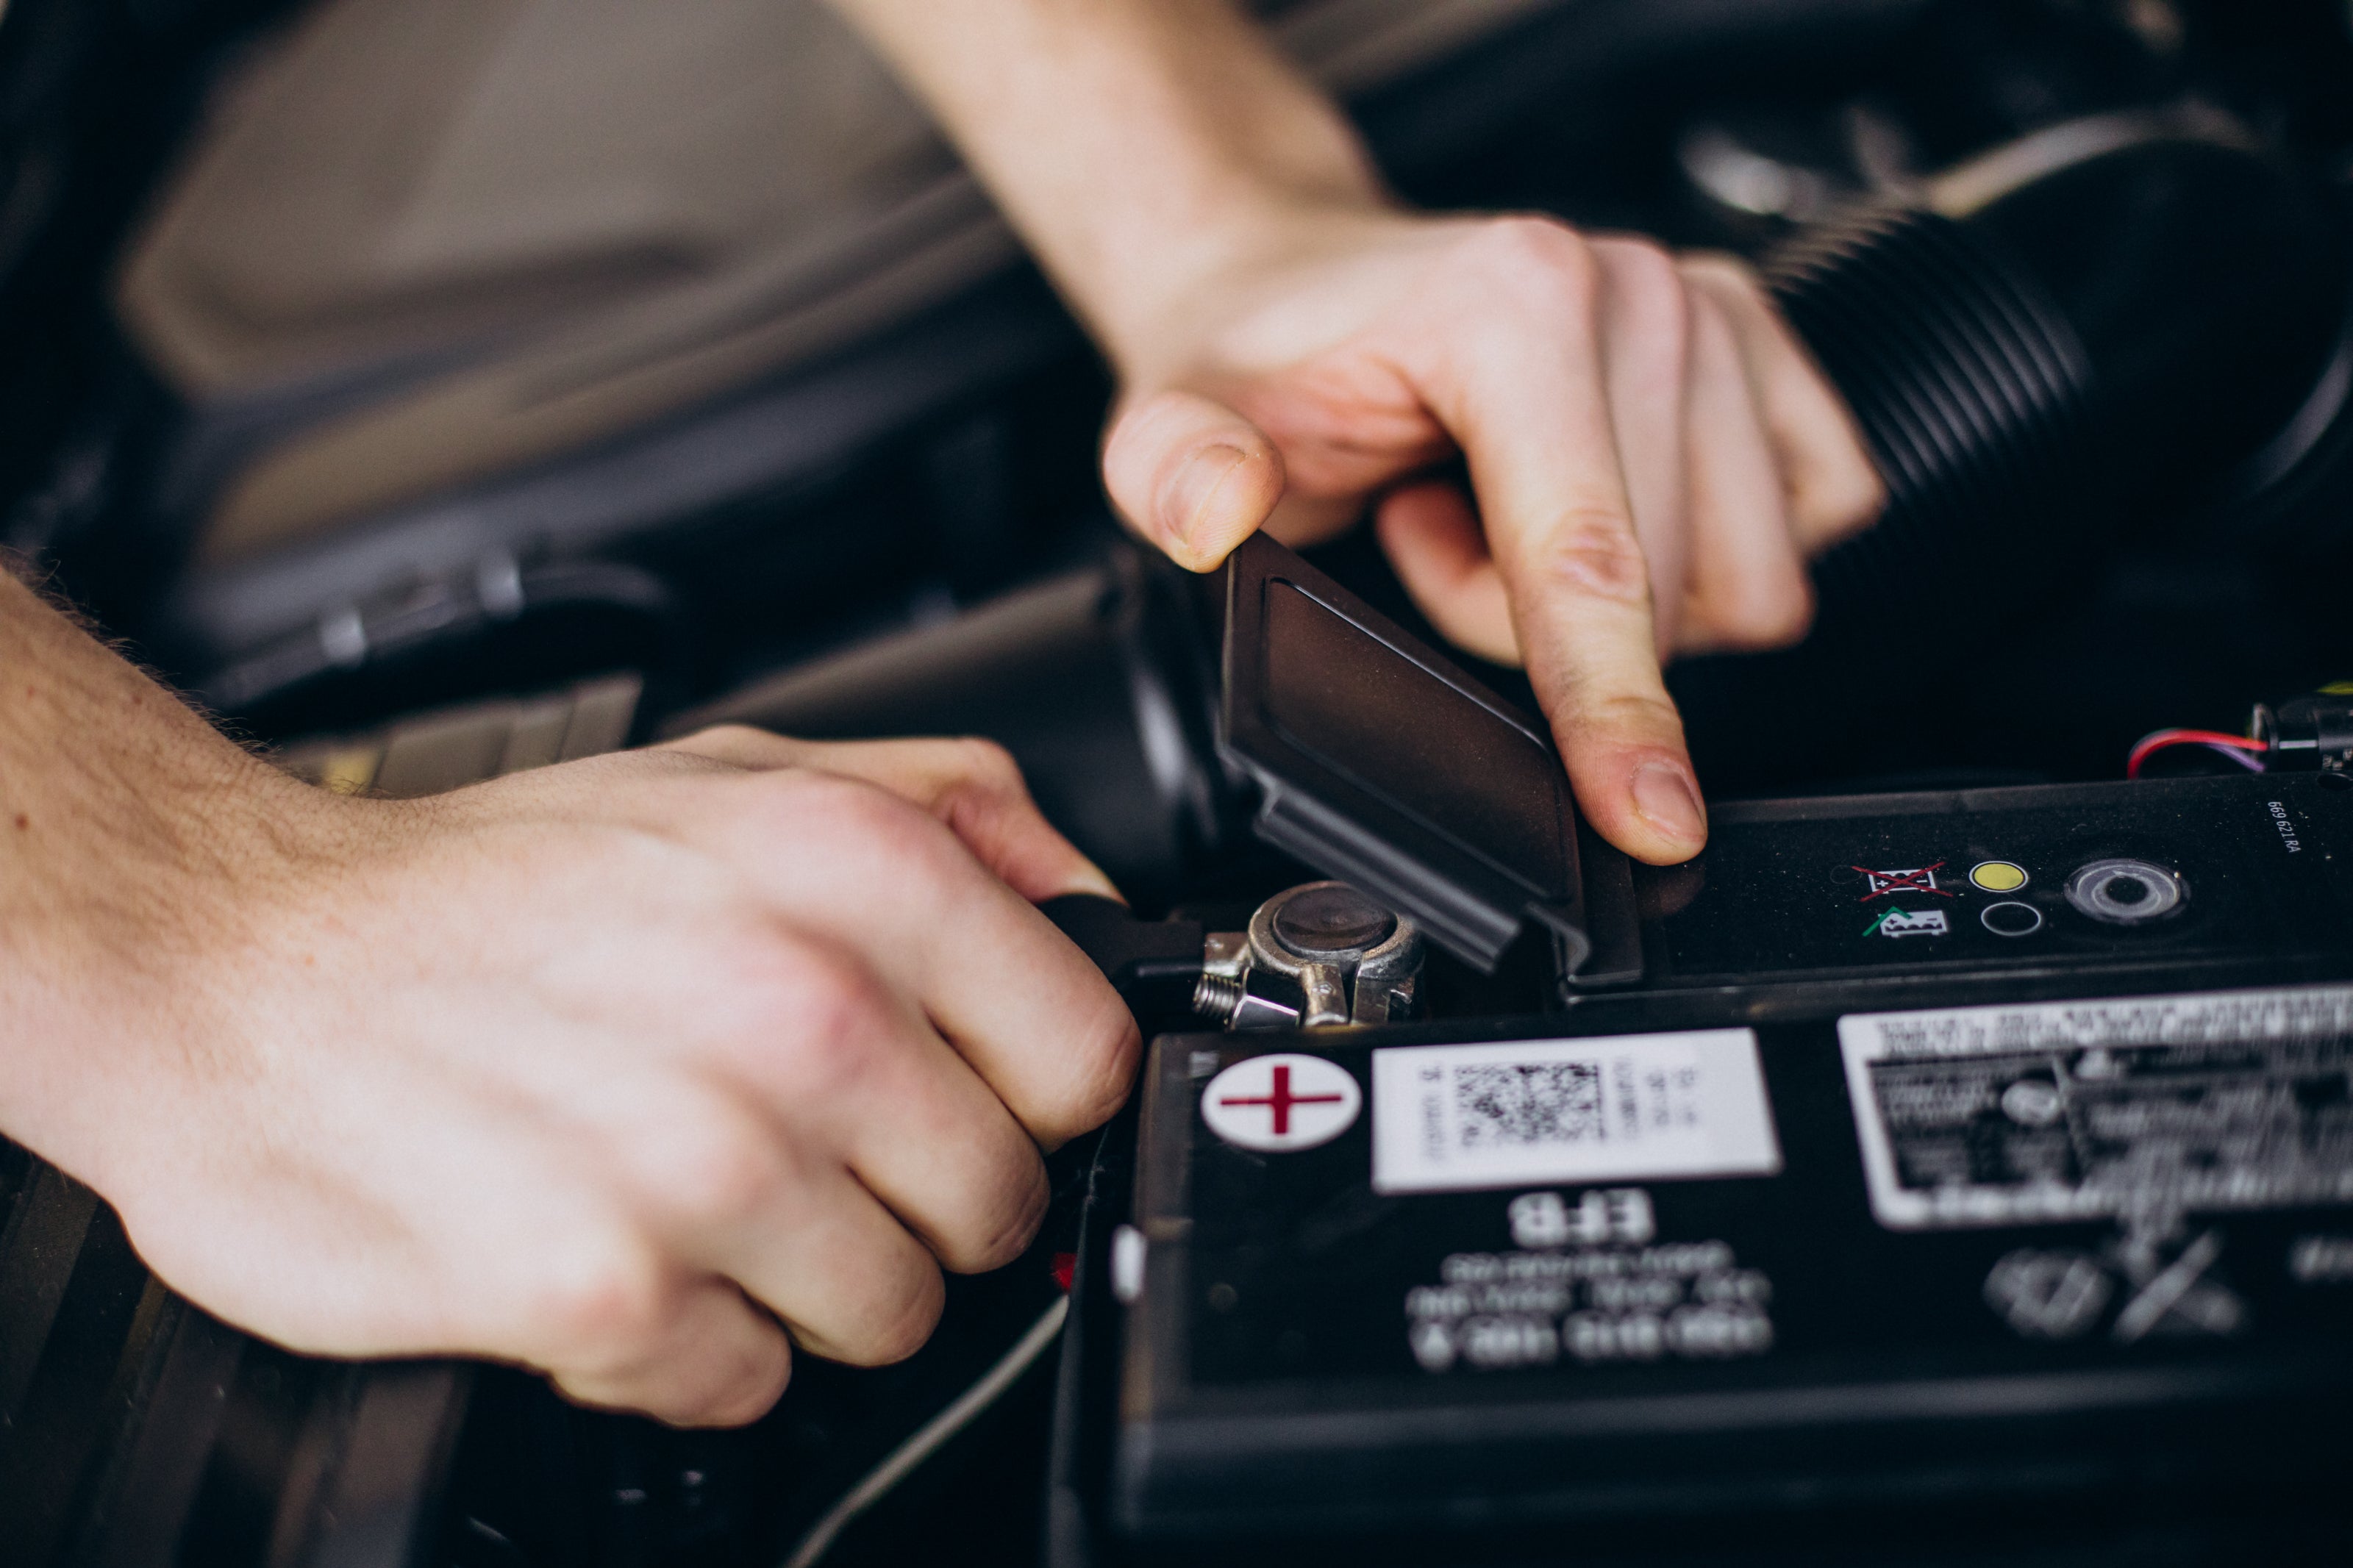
point(1952, 1165)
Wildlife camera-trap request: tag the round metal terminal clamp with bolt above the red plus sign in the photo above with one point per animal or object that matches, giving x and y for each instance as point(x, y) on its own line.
point(1342, 953)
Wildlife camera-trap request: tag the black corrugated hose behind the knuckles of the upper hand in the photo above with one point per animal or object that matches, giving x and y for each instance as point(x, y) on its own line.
point(2039, 340)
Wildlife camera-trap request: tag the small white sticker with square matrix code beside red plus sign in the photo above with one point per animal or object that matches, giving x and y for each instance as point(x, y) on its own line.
point(1571, 1111)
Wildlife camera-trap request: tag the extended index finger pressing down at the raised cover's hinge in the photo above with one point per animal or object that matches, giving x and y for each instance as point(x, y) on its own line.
point(1512, 361)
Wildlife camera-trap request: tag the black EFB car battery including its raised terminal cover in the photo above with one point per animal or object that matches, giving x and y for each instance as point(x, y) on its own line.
point(1905, 1155)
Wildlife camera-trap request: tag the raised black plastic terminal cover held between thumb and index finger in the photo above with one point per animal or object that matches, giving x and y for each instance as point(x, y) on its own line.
point(1385, 765)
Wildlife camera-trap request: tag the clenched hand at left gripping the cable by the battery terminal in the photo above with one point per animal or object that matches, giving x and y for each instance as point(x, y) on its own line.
point(627, 1068)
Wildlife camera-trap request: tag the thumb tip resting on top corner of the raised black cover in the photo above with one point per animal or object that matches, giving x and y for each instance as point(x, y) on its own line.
point(1192, 476)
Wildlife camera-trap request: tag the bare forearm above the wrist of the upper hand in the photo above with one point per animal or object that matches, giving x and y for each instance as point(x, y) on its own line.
point(1138, 145)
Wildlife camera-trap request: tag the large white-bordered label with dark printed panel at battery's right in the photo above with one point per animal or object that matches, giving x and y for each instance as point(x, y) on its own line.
point(2140, 1108)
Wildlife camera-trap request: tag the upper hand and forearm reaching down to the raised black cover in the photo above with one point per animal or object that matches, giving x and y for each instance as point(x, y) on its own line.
point(1653, 455)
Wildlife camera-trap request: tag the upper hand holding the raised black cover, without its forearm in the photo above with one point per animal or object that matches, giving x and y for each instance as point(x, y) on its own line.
point(1653, 453)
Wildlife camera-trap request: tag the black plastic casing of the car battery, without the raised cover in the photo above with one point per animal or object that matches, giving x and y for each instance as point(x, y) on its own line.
point(1265, 1383)
